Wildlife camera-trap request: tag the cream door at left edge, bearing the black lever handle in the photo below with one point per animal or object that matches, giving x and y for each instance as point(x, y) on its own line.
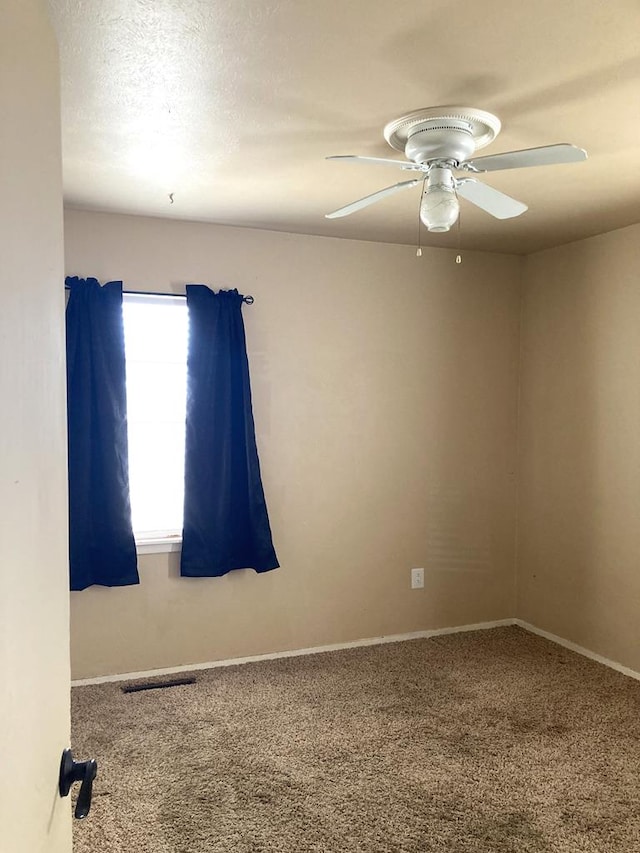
point(34, 598)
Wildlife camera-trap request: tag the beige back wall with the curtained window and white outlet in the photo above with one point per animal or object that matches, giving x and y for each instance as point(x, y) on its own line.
point(385, 391)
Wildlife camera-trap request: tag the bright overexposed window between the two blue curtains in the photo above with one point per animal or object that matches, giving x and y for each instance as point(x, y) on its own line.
point(156, 339)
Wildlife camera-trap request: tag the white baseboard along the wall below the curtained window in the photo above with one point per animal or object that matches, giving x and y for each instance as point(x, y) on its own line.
point(368, 641)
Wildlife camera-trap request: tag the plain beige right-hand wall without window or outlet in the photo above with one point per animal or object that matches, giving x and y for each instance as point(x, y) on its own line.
point(579, 549)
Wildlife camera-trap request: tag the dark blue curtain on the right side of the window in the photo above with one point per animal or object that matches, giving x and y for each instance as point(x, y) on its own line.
point(226, 525)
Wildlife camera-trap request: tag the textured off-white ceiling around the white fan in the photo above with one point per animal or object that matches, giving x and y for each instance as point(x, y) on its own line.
point(232, 107)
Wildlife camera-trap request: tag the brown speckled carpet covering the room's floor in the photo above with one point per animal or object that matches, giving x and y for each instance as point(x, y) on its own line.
point(491, 742)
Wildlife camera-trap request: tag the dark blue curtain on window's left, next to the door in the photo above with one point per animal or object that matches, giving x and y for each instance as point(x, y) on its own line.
point(101, 545)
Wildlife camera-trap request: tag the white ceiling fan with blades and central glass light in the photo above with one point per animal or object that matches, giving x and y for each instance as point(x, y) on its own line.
point(438, 141)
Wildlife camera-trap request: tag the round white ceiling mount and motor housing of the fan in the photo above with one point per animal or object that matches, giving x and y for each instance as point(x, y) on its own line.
point(442, 133)
